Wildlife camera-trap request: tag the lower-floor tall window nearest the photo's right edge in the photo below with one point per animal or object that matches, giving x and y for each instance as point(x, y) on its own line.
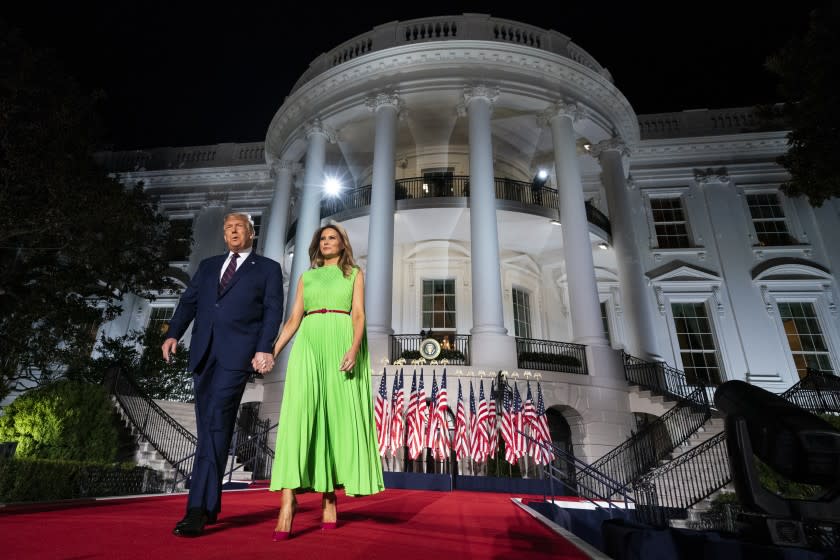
point(805, 338)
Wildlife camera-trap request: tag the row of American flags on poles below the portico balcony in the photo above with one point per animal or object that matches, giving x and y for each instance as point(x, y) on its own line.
point(423, 424)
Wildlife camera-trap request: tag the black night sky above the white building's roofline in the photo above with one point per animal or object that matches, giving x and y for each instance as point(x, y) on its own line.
point(186, 73)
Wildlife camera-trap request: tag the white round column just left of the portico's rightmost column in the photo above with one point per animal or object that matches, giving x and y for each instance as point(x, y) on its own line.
point(580, 269)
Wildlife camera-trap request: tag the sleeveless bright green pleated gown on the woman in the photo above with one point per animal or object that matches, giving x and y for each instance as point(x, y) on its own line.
point(326, 435)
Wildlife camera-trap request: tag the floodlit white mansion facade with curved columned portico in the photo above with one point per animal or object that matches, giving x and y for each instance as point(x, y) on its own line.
point(499, 190)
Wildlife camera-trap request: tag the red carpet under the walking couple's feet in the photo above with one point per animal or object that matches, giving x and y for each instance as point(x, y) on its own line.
point(393, 525)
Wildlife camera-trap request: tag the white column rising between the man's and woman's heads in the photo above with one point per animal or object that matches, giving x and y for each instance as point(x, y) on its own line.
point(309, 216)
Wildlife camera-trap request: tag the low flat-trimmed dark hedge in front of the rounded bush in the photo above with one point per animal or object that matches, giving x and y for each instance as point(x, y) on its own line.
point(27, 480)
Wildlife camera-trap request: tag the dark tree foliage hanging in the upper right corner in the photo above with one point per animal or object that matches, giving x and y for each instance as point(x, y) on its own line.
point(809, 71)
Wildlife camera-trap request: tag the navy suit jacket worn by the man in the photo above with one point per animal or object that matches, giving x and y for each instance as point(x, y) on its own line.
point(244, 319)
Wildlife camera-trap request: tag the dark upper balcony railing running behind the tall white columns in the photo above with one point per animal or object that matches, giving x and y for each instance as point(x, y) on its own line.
point(418, 188)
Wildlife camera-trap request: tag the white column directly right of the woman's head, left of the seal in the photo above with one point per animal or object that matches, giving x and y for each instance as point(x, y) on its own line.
point(380, 258)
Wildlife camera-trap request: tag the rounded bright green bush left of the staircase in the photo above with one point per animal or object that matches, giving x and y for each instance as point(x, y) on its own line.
point(63, 420)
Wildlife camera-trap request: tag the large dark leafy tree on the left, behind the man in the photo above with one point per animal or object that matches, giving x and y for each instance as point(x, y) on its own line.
point(73, 240)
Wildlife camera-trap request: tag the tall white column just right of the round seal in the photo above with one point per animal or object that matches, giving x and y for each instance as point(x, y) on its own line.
point(490, 343)
